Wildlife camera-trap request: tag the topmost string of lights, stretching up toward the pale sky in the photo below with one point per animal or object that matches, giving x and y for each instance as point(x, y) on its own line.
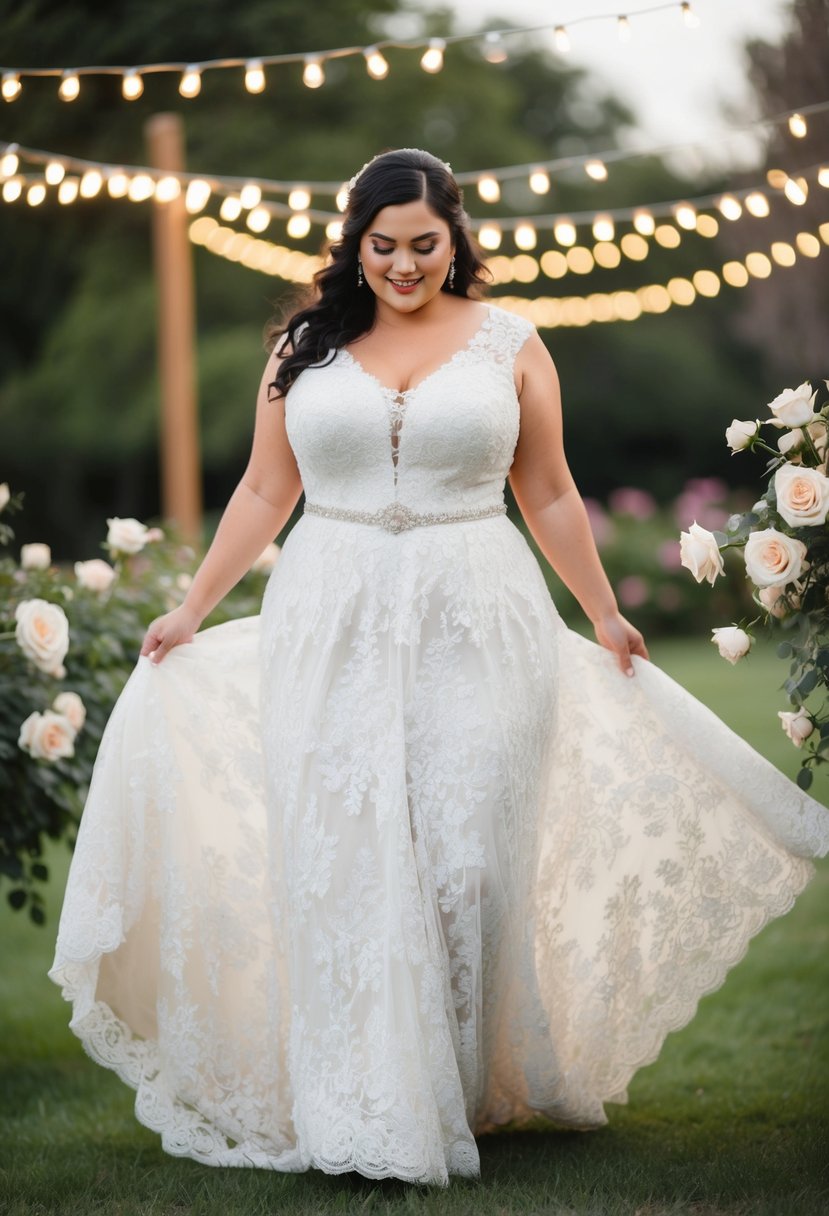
point(425, 43)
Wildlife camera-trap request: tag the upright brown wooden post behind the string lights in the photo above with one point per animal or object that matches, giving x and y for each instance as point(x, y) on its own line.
point(182, 489)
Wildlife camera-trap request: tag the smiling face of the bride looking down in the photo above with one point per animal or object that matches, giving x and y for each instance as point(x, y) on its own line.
point(405, 254)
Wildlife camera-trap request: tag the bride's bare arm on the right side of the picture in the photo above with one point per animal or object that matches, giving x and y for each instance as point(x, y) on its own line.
point(552, 506)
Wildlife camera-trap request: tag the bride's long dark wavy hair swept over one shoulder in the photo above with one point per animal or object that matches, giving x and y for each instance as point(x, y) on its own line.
point(339, 312)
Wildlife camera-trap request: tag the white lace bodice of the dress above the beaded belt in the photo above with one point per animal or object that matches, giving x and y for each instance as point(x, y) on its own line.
point(444, 446)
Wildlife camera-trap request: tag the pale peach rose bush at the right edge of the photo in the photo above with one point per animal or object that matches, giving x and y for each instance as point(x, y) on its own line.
point(785, 539)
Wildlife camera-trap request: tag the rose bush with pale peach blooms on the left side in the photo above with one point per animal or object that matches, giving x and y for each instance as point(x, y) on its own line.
point(70, 637)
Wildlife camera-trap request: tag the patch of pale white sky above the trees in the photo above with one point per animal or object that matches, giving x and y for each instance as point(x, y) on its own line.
point(678, 81)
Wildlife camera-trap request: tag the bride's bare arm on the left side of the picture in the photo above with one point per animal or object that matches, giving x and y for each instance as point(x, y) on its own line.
point(257, 513)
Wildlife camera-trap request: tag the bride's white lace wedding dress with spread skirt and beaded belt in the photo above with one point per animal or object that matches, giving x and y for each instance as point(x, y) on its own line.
point(405, 859)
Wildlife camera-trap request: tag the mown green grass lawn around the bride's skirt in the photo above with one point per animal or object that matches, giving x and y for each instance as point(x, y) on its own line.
point(734, 1118)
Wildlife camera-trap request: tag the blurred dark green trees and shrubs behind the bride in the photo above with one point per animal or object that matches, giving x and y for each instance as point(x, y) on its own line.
point(646, 403)
